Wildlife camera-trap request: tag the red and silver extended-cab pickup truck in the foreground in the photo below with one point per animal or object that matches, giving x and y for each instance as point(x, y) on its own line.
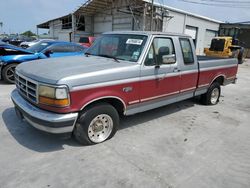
point(123, 73)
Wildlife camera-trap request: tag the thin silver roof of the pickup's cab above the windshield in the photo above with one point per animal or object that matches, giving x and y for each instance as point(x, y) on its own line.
point(147, 33)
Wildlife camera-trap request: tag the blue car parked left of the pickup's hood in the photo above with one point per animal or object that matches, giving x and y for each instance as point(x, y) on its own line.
point(11, 56)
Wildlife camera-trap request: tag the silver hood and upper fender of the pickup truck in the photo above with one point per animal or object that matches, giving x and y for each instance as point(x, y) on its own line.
point(78, 70)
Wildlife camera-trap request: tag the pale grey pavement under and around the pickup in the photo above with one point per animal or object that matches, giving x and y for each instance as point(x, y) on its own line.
point(183, 145)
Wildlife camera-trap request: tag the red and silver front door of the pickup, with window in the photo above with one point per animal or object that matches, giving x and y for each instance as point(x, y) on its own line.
point(159, 81)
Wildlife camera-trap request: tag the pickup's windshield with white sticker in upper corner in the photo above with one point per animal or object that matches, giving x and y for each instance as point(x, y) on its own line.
point(119, 46)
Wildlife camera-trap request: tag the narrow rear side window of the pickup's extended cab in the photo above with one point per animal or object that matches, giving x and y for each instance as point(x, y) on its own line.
point(187, 51)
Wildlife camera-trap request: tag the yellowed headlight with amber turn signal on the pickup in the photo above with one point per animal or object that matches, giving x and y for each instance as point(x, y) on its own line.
point(54, 96)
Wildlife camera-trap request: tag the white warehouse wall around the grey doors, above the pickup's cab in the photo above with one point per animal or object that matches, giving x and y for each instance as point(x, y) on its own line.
point(179, 22)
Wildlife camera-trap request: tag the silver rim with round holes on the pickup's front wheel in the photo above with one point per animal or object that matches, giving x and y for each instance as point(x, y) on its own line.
point(100, 128)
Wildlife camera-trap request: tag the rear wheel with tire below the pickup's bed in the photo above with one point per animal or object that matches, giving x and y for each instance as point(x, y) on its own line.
point(212, 96)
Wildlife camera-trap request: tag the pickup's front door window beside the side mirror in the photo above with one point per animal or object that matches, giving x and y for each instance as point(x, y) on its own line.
point(159, 48)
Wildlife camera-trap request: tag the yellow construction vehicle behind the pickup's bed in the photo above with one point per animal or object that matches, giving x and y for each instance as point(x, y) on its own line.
point(225, 47)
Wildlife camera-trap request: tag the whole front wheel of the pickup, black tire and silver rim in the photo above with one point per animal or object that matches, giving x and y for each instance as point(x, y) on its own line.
point(87, 131)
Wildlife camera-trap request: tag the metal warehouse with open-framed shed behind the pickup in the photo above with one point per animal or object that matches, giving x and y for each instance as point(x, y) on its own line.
point(97, 16)
